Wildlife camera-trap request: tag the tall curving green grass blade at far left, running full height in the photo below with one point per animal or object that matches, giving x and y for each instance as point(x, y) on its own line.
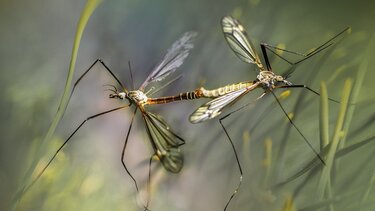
point(88, 10)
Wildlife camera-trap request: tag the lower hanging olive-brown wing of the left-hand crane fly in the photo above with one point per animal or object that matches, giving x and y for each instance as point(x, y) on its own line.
point(165, 142)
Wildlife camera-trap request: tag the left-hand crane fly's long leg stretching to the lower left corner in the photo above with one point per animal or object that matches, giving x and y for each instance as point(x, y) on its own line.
point(67, 140)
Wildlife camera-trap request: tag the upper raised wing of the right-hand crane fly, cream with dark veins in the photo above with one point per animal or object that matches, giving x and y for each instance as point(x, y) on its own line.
point(236, 36)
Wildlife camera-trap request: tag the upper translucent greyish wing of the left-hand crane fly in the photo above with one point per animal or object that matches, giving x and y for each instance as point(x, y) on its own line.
point(174, 58)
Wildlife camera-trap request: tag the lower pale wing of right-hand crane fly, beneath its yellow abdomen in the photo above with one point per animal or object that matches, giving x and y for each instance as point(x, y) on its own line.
point(214, 107)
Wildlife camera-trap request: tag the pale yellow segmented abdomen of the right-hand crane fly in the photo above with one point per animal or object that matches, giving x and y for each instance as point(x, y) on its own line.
point(224, 90)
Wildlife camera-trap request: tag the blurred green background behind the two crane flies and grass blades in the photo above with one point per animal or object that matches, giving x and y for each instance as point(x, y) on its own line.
point(35, 46)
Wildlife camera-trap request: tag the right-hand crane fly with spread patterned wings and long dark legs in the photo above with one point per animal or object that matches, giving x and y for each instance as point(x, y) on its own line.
point(237, 39)
